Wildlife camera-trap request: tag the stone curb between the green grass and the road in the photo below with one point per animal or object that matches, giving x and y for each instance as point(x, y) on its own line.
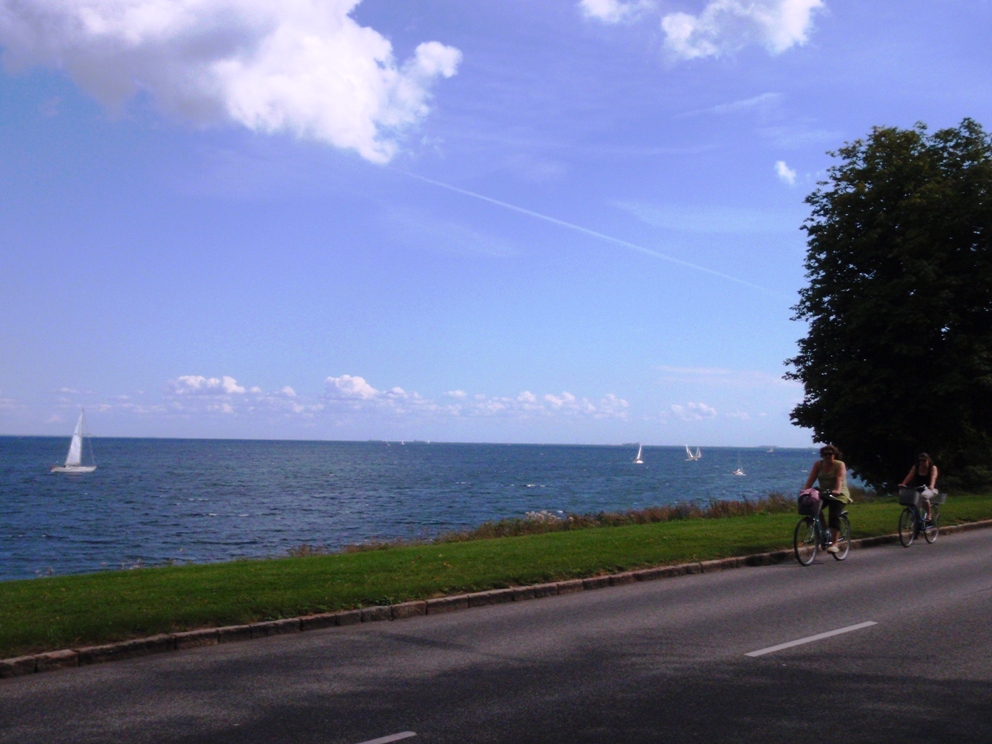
point(52, 660)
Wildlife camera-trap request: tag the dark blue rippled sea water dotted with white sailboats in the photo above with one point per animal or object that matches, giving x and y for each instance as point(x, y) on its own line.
point(156, 500)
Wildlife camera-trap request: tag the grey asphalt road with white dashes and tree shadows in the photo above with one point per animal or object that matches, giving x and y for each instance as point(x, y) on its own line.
point(661, 661)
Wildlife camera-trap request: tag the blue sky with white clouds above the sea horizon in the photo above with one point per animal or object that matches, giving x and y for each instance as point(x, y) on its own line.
point(516, 221)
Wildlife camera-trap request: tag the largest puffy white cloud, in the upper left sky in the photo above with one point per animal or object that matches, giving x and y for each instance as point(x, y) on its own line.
point(303, 67)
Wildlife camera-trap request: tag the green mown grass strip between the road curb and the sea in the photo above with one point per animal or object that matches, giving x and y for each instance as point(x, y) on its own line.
point(70, 611)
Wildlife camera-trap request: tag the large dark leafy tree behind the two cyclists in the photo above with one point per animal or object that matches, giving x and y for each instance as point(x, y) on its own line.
point(898, 357)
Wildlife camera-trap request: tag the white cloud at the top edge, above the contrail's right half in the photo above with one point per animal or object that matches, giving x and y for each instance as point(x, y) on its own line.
point(725, 26)
